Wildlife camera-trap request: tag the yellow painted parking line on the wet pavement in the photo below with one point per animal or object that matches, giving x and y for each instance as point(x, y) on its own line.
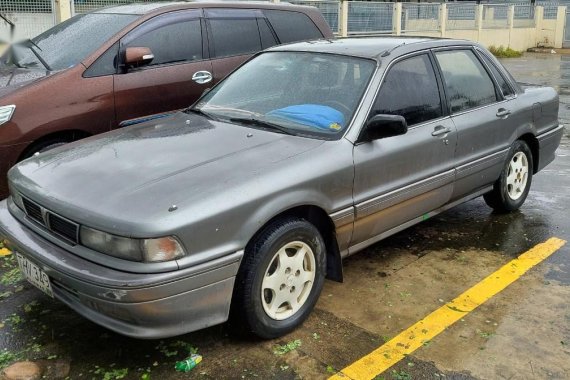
point(415, 336)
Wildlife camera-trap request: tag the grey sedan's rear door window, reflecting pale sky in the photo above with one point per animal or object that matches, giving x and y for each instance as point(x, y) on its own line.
point(467, 83)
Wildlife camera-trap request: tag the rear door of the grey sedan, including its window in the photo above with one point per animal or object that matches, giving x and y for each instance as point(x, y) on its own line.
point(482, 115)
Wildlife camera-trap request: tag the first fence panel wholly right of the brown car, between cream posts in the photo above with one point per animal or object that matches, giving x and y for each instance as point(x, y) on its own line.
point(366, 17)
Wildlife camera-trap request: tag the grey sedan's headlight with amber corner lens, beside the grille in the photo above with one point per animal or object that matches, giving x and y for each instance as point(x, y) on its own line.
point(147, 250)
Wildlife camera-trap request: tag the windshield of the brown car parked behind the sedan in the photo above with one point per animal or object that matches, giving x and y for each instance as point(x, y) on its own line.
point(68, 43)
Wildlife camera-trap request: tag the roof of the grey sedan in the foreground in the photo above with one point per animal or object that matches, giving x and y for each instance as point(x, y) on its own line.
point(371, 47)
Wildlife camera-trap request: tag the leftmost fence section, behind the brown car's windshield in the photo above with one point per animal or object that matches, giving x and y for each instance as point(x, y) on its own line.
point(30, 18)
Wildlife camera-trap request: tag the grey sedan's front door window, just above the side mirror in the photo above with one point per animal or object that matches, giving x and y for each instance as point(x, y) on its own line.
point(410, 90)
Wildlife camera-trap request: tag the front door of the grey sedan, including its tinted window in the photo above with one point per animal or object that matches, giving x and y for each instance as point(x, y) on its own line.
point(398, 179)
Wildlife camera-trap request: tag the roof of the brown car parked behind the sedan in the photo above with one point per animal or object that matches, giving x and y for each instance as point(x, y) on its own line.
point(147, 8)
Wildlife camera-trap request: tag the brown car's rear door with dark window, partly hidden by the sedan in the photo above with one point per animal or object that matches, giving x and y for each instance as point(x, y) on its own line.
point(234, 36)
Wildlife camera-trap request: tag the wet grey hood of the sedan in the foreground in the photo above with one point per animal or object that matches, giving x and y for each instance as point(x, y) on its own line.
point(141, 171)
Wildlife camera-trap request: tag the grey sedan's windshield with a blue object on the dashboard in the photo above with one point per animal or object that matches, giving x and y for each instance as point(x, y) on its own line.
point(307, 94)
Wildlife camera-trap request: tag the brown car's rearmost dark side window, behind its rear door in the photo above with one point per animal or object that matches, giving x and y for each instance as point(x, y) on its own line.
point(292, 26)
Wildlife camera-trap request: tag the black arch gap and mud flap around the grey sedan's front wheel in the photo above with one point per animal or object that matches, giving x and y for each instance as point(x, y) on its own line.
point(321, 220)
